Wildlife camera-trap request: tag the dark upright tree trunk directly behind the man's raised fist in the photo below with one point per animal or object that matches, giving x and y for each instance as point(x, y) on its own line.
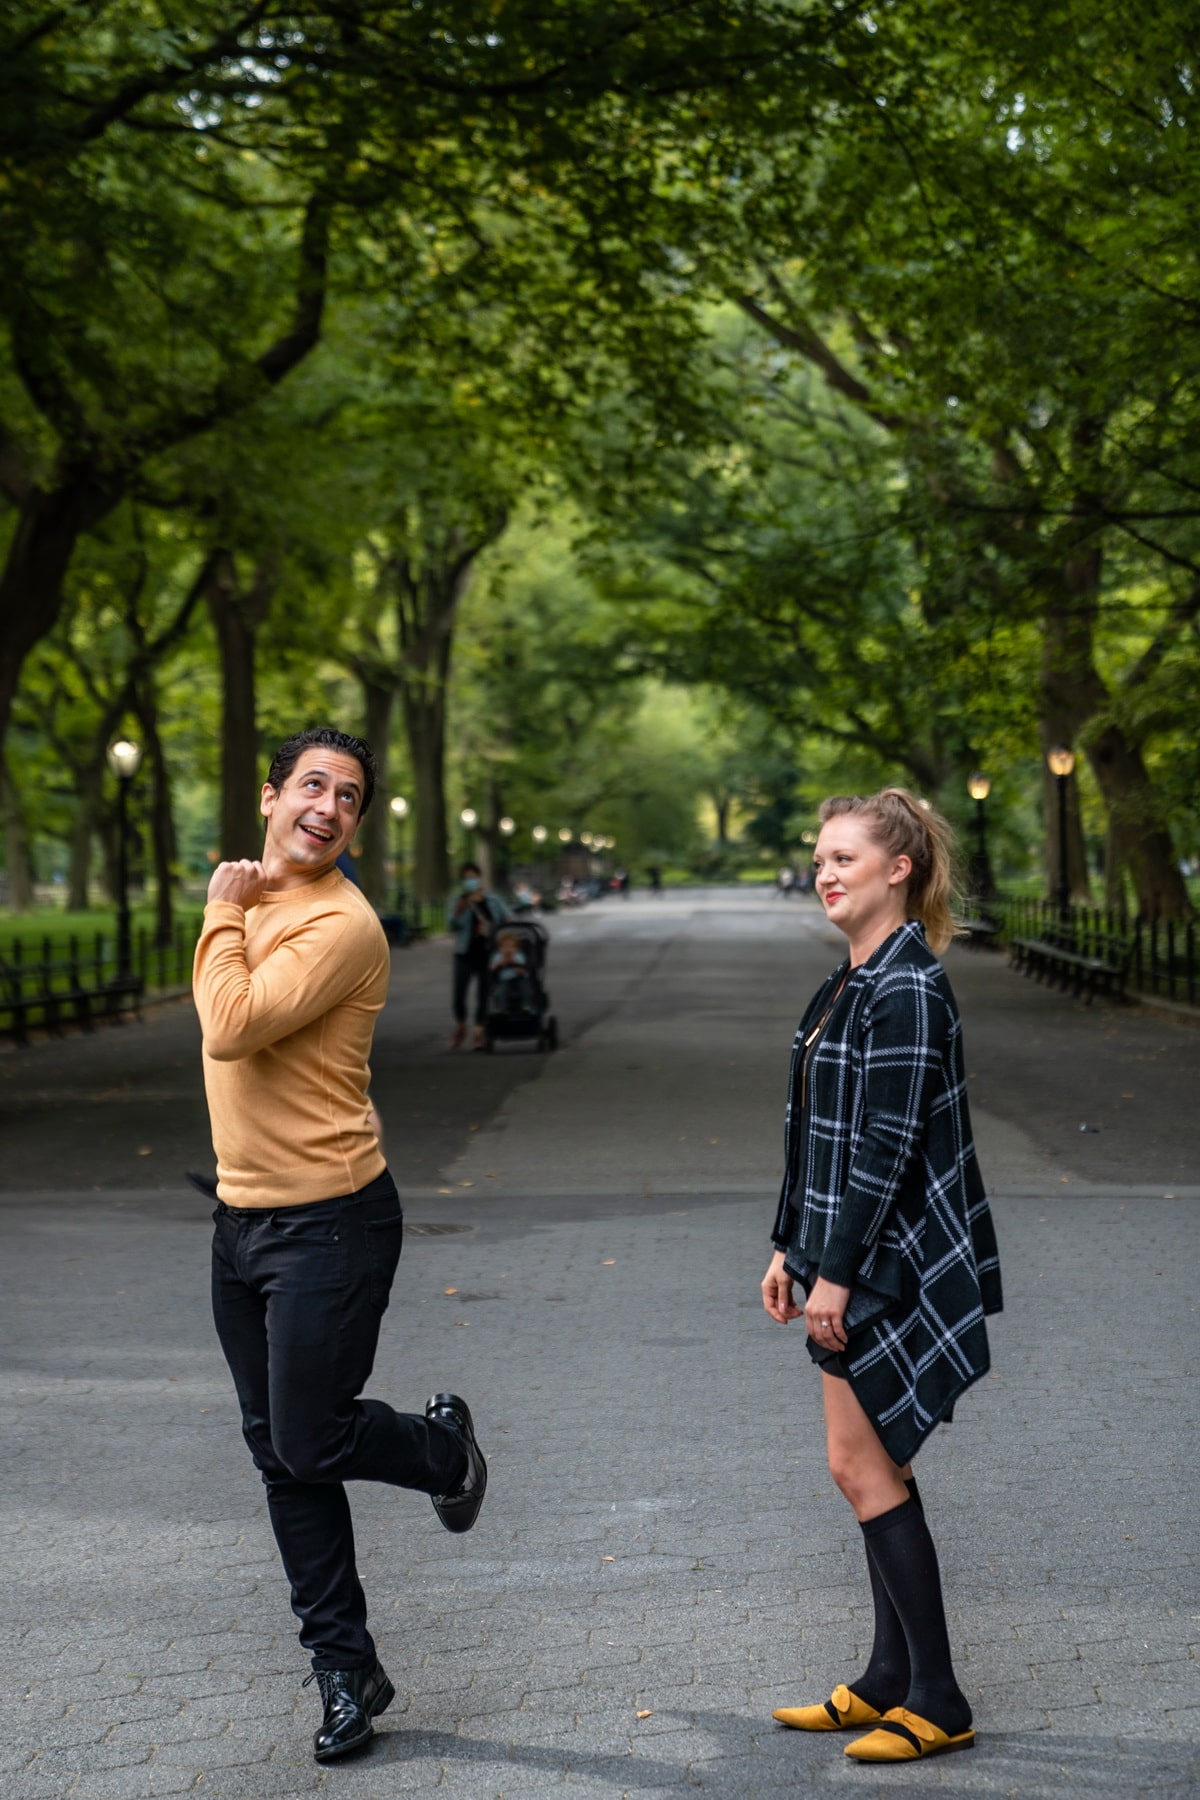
point(237, 618)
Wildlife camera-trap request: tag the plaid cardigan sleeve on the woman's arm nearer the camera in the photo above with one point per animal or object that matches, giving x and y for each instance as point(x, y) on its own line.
point(902, 1057)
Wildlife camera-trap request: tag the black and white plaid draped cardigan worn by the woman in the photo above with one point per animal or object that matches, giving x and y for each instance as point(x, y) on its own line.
point(882, 1191)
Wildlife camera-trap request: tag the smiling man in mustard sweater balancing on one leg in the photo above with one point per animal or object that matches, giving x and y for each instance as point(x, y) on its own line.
point(291, 973)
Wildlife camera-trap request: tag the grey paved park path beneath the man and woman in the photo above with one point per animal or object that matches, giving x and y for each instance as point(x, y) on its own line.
point(661, 1558)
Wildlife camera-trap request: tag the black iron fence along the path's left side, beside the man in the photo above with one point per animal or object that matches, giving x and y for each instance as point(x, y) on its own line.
point(73, 980)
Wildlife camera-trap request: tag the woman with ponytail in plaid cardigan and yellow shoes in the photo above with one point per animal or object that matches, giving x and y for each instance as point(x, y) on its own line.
point(884, 1223)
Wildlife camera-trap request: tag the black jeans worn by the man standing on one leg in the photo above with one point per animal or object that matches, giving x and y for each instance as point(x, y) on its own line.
point(298, 1299)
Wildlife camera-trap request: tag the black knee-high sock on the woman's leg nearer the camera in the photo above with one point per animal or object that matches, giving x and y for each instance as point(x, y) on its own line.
point(908, 1563)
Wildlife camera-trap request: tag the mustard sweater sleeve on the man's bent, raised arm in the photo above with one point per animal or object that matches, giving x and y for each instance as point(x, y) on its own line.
point(316, 967)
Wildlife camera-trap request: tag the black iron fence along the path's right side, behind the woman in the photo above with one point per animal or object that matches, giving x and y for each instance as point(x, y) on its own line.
point(1161, 953)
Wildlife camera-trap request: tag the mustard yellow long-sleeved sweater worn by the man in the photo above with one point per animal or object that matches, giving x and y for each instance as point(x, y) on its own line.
point(287, 998)
